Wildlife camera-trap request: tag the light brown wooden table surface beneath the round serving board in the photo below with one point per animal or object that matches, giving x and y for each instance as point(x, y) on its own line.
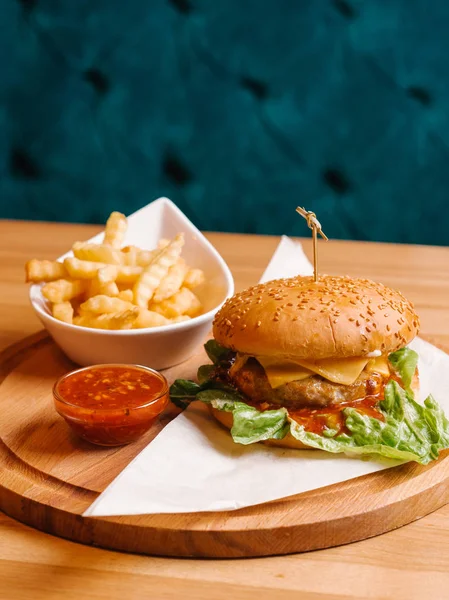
point(412, 562)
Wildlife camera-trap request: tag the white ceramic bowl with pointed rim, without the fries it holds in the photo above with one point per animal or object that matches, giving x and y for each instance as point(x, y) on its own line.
point(158, 347)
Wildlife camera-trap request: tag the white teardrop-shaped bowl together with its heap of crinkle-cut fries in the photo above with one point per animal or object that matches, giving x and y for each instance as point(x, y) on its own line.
point(144, 292)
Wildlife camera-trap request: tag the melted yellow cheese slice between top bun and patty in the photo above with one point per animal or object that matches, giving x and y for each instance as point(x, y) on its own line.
point(344, 371)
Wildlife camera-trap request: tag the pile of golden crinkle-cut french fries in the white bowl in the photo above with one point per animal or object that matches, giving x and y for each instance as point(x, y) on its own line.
point(107, 286)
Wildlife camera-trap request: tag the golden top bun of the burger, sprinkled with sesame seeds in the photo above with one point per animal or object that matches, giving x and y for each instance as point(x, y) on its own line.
point(335, 317)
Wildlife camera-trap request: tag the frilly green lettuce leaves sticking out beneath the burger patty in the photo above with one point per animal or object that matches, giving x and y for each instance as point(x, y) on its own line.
point(410, 431)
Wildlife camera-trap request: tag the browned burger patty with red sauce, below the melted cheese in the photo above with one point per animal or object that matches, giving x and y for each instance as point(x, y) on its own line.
point(252, 381)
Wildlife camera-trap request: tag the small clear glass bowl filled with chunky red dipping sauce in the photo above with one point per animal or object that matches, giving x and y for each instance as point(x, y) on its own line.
point(111, 405)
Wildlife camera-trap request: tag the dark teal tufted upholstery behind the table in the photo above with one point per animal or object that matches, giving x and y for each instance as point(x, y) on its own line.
point(238, 110)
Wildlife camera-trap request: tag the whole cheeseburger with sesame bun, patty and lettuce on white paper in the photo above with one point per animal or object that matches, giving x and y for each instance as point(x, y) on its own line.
point(319, 365)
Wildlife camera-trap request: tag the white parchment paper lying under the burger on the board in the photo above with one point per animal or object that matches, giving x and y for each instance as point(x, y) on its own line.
point(194, 466)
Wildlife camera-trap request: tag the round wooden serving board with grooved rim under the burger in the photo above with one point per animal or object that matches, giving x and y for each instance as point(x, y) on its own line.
point(48, 478)
